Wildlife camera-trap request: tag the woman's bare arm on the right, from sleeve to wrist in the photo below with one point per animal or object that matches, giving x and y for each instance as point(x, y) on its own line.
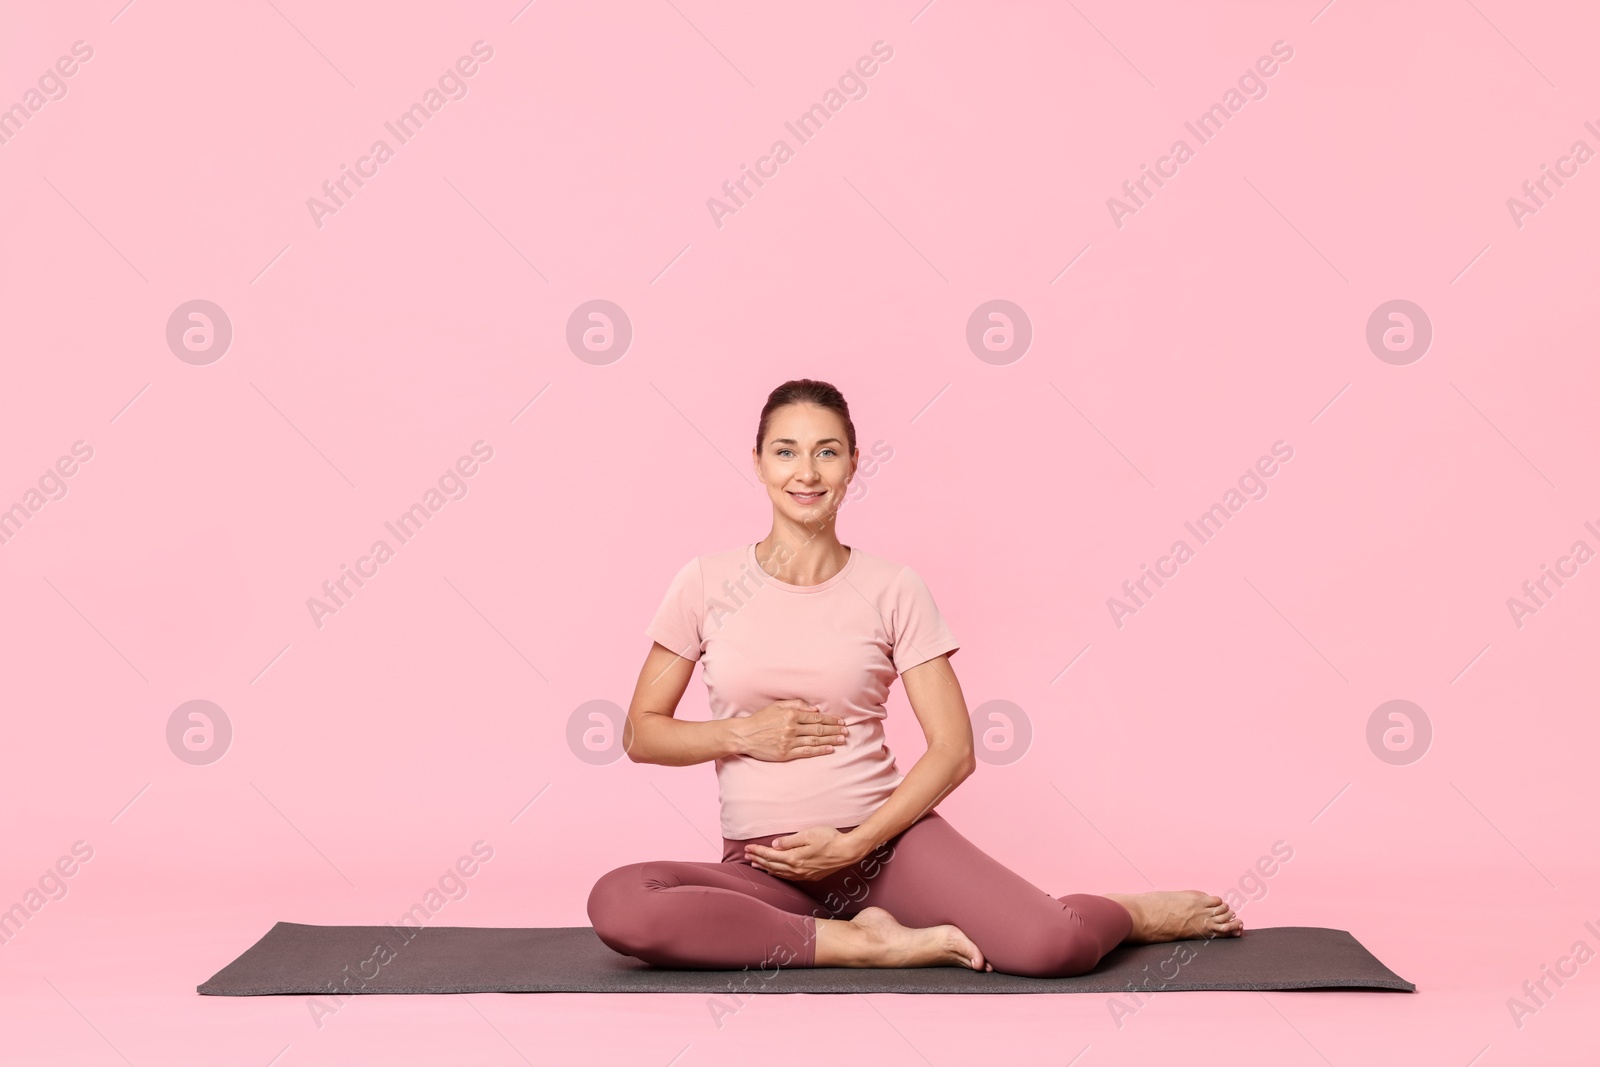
point(937, 698)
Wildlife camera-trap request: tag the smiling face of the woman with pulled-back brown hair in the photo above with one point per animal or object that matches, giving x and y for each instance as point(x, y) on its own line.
point(806, 463)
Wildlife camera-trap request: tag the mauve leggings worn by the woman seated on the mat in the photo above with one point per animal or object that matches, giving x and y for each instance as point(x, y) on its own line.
point(730, 916)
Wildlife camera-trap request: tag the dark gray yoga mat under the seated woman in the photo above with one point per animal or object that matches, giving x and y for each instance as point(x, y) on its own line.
point(300, 959)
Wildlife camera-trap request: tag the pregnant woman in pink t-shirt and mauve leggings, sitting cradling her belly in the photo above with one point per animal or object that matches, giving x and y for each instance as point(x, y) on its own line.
point(831, 857)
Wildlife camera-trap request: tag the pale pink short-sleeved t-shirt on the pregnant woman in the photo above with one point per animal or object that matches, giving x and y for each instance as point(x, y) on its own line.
point(839, 645)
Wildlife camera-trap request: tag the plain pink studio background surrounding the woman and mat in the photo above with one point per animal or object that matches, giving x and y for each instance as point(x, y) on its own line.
point(431, 311)
